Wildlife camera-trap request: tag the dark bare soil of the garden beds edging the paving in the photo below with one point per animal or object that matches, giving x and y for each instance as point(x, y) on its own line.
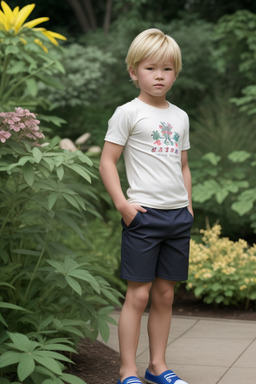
point(98, 364)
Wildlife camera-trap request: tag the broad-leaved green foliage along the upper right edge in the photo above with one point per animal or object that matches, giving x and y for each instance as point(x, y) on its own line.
point(236, 39)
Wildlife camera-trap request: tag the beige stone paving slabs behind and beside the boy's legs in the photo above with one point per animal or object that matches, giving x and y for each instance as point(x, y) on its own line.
point(203, 350)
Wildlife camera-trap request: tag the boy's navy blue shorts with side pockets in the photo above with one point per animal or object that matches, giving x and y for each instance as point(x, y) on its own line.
point(156, 244)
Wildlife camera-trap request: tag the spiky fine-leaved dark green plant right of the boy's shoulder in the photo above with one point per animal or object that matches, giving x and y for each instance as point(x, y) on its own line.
point(220, 128)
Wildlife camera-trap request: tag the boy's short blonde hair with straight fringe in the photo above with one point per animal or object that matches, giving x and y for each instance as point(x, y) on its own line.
point(153, 42)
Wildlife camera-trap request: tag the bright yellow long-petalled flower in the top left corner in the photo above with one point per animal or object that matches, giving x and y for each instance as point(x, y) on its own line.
point(12, 21)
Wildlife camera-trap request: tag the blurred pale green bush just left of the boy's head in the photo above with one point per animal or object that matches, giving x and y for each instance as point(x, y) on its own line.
point(79, 102)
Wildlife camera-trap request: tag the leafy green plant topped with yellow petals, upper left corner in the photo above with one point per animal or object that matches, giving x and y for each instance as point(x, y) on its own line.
point(25, 59)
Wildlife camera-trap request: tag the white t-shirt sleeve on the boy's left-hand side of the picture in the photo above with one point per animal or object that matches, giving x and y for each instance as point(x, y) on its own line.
point(119, 127)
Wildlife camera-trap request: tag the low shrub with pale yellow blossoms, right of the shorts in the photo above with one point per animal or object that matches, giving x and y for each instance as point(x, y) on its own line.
point(222, 271)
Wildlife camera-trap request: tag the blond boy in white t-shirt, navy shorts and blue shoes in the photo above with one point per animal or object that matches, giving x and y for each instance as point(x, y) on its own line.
point(157, 217)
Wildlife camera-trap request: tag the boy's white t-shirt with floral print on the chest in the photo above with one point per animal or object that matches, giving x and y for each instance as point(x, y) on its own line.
point(153, 139)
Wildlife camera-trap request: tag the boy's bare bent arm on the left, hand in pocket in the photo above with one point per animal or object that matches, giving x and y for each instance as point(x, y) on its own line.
point(110, 155)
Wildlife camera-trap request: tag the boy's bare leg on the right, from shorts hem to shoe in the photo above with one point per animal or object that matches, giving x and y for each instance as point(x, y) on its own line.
point(162, 295)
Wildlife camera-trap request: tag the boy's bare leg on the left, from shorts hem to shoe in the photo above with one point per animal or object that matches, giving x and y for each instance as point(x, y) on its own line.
point(136, 300)
